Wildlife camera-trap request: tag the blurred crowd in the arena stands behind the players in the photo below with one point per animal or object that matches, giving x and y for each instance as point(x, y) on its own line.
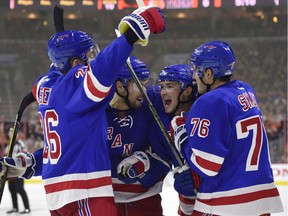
point(258, 38)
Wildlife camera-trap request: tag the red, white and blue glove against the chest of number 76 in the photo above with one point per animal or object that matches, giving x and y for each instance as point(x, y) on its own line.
point(178, 131)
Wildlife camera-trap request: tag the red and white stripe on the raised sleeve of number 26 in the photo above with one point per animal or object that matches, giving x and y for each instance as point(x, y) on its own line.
point(93, 88)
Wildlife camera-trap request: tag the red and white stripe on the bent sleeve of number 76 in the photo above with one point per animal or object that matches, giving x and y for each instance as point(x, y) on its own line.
point(208, 163)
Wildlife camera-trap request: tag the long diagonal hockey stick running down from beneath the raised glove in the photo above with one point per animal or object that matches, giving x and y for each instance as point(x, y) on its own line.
point(152, 109)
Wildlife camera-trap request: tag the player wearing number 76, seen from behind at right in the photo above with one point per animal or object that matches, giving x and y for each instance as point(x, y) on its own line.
point(225, 141)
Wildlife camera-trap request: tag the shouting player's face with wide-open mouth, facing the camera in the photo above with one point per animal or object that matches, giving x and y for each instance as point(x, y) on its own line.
point(170, 91)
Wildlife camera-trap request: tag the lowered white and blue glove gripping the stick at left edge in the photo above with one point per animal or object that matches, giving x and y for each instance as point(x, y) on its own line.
point(22, 165)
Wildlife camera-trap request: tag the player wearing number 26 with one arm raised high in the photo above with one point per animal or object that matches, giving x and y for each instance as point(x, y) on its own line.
point(72, 98)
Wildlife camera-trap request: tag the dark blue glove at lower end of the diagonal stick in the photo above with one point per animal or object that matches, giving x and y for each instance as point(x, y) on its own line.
point(186, 181)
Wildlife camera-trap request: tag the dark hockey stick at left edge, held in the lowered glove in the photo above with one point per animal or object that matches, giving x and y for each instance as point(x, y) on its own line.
point(25, 102)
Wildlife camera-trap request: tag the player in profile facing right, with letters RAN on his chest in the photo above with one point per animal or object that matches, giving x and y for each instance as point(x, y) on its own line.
point(137, 174)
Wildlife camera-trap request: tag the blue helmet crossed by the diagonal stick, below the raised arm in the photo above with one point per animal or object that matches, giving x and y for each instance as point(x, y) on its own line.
point(140, 69)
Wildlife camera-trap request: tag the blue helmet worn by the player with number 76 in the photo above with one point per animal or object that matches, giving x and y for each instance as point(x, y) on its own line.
point(216, 55)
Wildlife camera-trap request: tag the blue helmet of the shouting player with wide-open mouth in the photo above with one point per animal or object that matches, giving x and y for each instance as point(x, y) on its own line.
point(177, 72)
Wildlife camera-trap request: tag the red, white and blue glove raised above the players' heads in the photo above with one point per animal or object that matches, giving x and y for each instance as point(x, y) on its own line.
point(143, 21)
